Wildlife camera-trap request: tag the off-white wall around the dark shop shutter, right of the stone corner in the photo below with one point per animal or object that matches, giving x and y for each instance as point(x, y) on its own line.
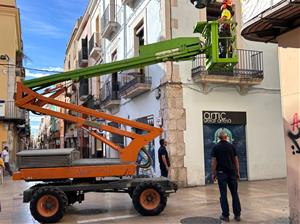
point(264, 132)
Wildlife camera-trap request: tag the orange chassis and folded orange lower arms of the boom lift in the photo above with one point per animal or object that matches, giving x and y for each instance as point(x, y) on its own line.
point(128, 155)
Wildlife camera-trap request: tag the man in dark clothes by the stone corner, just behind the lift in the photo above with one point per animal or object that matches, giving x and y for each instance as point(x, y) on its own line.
point(163, 158)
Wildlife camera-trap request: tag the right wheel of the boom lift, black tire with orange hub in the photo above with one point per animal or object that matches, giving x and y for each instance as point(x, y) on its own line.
point(149, 199)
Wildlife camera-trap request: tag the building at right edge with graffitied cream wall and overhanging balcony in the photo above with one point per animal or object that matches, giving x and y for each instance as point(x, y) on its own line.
point(279, 22)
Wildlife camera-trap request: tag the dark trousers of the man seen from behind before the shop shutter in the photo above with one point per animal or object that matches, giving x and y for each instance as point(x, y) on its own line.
point(225, 179)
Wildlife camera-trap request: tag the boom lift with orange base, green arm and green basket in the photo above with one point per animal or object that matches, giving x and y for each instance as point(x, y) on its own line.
point(66, 185)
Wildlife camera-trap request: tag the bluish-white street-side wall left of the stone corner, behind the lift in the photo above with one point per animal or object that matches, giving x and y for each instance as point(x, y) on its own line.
point(145, 104)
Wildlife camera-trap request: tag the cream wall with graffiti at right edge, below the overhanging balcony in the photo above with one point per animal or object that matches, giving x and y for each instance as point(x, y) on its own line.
point(289, 57)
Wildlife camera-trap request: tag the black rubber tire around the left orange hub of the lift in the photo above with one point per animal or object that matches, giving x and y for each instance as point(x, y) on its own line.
point(58, 194)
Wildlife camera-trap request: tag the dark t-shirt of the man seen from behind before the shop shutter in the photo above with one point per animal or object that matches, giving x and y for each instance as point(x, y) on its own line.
point(224, 152)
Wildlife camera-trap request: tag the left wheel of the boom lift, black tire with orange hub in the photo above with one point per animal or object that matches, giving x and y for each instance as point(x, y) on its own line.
point(48, 204)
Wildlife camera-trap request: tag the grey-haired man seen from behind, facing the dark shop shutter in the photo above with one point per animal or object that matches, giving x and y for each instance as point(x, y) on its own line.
point(225, 168)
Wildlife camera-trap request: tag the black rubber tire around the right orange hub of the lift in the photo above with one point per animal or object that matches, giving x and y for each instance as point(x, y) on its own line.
point(136, 199)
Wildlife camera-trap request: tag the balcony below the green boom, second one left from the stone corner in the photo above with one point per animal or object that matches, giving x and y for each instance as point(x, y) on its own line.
point(110, 97)
